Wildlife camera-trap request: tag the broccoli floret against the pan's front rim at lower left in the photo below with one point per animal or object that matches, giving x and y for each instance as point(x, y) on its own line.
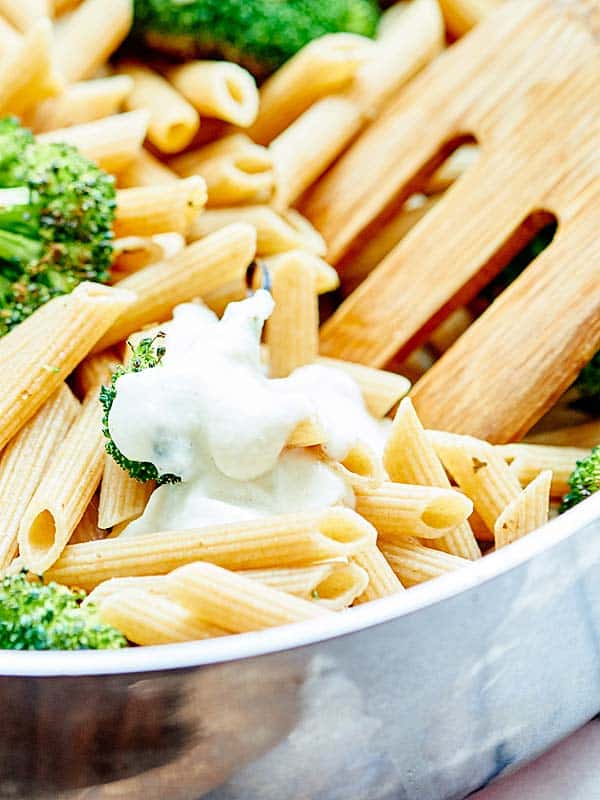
point(35, 616)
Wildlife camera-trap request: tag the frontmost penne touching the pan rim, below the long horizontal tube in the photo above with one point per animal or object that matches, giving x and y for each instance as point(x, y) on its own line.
point(234, 602)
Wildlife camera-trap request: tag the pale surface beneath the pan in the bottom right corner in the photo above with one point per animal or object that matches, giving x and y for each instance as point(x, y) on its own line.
point(570, 771)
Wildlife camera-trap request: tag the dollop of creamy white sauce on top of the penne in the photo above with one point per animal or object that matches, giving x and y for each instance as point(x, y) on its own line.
point(209, 415)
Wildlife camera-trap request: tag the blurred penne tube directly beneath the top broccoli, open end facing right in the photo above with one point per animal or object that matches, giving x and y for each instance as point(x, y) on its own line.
point(218, 89)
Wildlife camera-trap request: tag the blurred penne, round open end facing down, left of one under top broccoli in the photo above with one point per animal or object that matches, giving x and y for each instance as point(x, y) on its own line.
point(173, 121)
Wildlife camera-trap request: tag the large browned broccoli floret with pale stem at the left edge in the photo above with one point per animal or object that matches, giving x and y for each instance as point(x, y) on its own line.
point(56, 214)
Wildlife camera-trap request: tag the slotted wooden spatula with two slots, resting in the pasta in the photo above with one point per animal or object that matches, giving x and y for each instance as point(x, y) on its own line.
point(526, 84)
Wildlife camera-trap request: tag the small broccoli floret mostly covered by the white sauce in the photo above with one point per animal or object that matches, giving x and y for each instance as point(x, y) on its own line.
point(146, 355)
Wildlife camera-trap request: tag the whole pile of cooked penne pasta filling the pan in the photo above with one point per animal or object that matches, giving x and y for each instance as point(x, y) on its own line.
point(209, 169)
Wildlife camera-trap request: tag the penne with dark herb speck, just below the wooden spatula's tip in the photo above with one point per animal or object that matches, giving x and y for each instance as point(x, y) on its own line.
point(479, 470)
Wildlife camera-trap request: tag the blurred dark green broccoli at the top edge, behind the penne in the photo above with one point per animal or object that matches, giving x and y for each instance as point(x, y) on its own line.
point(260, 34)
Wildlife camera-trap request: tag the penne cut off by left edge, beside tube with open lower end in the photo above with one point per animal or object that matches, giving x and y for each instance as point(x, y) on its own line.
point(25, 460)
